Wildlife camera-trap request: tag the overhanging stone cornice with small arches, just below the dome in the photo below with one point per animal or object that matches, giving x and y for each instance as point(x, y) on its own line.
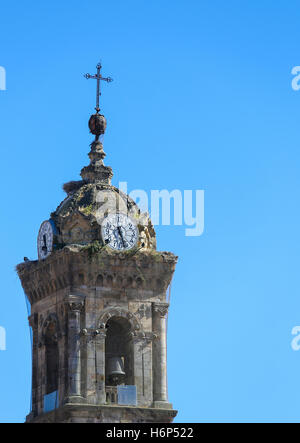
point(43, 278)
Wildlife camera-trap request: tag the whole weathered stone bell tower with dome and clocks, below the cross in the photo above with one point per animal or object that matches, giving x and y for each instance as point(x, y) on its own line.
point(98, 306)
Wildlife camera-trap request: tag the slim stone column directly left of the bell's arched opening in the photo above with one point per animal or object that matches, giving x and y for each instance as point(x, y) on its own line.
point(100, 366)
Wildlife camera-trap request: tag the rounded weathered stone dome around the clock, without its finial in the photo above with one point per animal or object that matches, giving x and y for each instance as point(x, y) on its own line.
point(78, 218)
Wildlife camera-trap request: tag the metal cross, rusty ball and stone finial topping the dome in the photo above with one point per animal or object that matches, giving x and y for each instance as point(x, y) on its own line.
point(97, 171)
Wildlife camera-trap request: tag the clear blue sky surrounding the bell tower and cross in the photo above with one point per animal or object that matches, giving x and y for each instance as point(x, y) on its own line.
point(202, 99)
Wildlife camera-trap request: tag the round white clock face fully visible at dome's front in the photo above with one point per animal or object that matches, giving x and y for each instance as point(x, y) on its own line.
point(119, 232)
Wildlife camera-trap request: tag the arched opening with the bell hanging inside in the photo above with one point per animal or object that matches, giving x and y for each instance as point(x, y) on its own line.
point(118, 352)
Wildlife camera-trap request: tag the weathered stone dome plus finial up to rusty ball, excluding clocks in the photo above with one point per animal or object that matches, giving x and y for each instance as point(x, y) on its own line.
point(79, 217)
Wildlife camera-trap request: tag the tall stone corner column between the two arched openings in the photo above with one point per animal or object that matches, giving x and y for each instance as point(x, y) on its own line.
point(75, 304)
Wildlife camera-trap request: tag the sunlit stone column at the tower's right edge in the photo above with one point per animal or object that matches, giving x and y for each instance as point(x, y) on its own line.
point(160, 389)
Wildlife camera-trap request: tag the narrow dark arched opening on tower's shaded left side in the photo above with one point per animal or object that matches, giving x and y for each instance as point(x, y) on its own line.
point(52, 357)
